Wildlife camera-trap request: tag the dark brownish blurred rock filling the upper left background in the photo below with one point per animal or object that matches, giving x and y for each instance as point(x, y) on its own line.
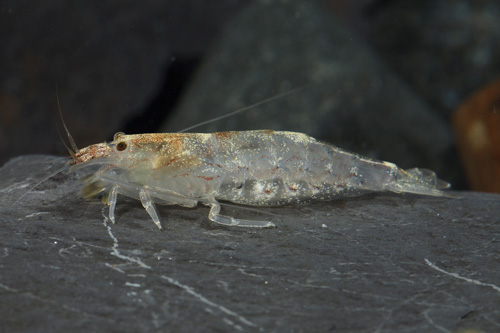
point(108, 59)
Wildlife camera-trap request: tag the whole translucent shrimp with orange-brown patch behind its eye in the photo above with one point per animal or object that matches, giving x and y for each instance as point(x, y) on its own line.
point(256, 168)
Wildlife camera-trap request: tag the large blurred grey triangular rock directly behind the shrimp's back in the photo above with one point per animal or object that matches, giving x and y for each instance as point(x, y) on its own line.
point(352, 100)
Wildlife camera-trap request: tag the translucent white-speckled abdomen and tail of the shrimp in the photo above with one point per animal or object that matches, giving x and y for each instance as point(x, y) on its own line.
point(305, 169)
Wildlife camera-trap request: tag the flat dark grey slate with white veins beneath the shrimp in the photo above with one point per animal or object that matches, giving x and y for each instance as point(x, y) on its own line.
point(379, 262)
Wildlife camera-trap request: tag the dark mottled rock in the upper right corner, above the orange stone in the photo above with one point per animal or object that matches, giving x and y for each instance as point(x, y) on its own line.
point(445, 49)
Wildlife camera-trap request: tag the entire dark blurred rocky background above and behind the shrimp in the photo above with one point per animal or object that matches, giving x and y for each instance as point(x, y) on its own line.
point(383, 78)
